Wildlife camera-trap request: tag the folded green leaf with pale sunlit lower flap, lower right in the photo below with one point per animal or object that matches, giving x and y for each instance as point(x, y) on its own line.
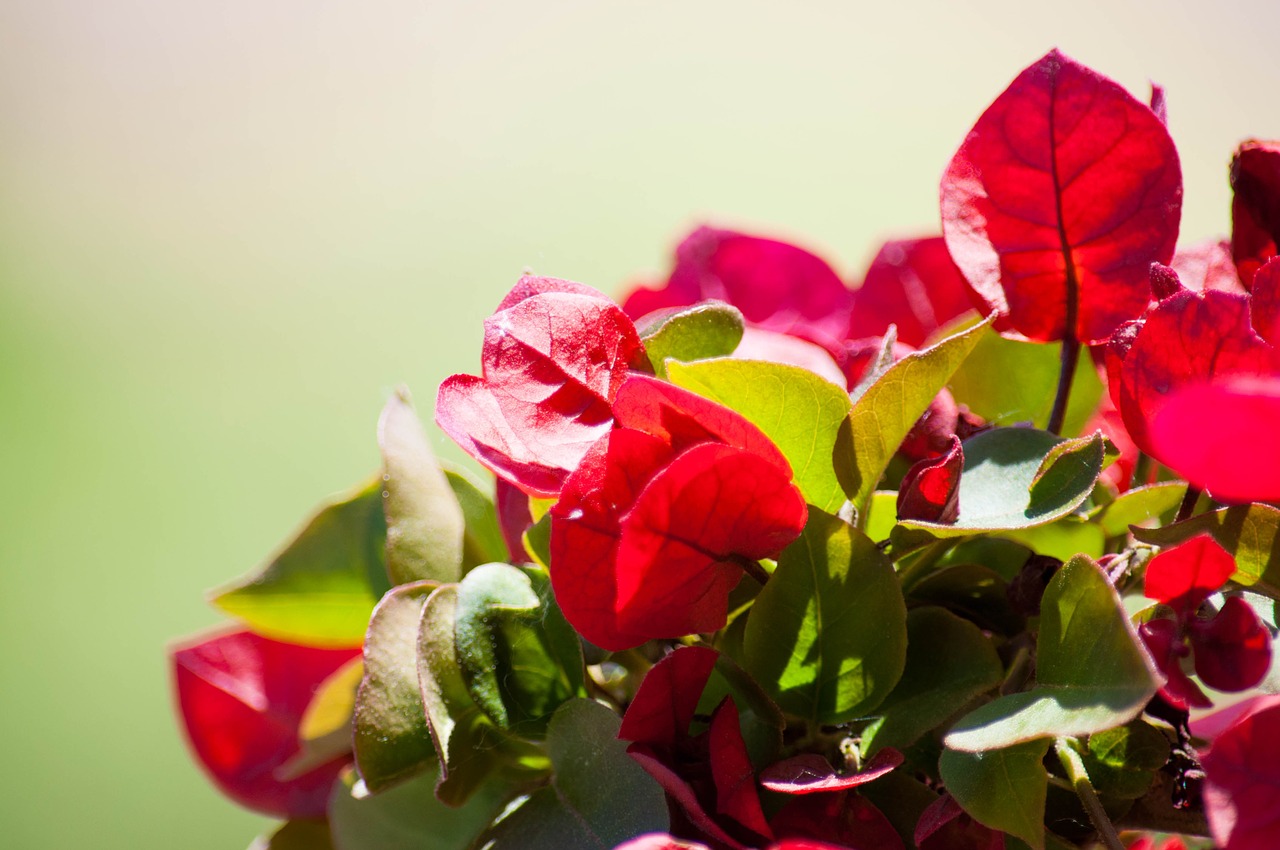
point(1092, 673)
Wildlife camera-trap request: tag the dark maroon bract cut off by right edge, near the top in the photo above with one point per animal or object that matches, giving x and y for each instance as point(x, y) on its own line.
point(1255, 207)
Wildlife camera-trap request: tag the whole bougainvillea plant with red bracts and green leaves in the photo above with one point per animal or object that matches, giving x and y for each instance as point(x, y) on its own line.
point(977, 555)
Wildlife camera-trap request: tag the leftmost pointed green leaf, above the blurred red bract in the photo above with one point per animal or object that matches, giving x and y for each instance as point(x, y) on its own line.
point(322, 587)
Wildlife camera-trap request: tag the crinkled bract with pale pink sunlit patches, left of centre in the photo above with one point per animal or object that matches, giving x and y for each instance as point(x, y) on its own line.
point(555, 355)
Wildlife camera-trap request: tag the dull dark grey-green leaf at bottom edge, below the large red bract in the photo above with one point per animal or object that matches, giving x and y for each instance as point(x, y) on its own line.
point(598, 799)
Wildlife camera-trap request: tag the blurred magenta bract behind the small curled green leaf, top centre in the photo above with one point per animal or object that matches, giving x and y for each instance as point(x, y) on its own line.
point(778, 286)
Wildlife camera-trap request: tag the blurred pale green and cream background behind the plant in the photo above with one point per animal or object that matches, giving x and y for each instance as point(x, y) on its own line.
point(228, 230)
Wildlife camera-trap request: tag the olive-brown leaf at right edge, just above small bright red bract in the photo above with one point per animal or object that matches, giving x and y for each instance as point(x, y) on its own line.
point(1251, 533)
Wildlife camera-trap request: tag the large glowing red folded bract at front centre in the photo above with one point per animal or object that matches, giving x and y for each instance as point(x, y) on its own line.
point(653, 529)
